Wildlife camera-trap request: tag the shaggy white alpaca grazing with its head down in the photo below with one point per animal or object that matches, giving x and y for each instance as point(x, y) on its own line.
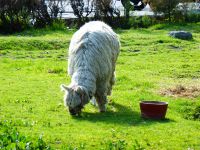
point(93, 52)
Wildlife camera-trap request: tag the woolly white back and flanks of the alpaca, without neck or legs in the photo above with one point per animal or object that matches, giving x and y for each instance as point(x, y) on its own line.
point(94, 47)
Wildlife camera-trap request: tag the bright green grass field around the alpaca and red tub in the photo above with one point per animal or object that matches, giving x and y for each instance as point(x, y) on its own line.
point(33, 65)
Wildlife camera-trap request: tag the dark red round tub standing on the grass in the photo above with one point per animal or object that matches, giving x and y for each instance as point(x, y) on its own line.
point(153, 109)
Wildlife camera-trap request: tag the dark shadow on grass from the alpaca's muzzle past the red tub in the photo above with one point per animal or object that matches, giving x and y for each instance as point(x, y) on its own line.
point(119, 114)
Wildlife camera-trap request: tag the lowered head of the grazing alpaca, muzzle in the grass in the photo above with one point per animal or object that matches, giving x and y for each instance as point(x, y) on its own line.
point(75, 98)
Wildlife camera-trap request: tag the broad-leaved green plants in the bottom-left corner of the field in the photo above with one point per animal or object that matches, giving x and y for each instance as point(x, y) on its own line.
point(10, 138)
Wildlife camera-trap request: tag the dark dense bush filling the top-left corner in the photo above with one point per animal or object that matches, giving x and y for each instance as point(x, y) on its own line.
point(15, 14)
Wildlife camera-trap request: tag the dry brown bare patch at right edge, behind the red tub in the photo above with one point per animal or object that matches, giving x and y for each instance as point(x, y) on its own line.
point(182, 91)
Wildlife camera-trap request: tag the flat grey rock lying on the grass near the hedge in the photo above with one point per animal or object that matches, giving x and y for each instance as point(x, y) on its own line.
point(181, 35)
